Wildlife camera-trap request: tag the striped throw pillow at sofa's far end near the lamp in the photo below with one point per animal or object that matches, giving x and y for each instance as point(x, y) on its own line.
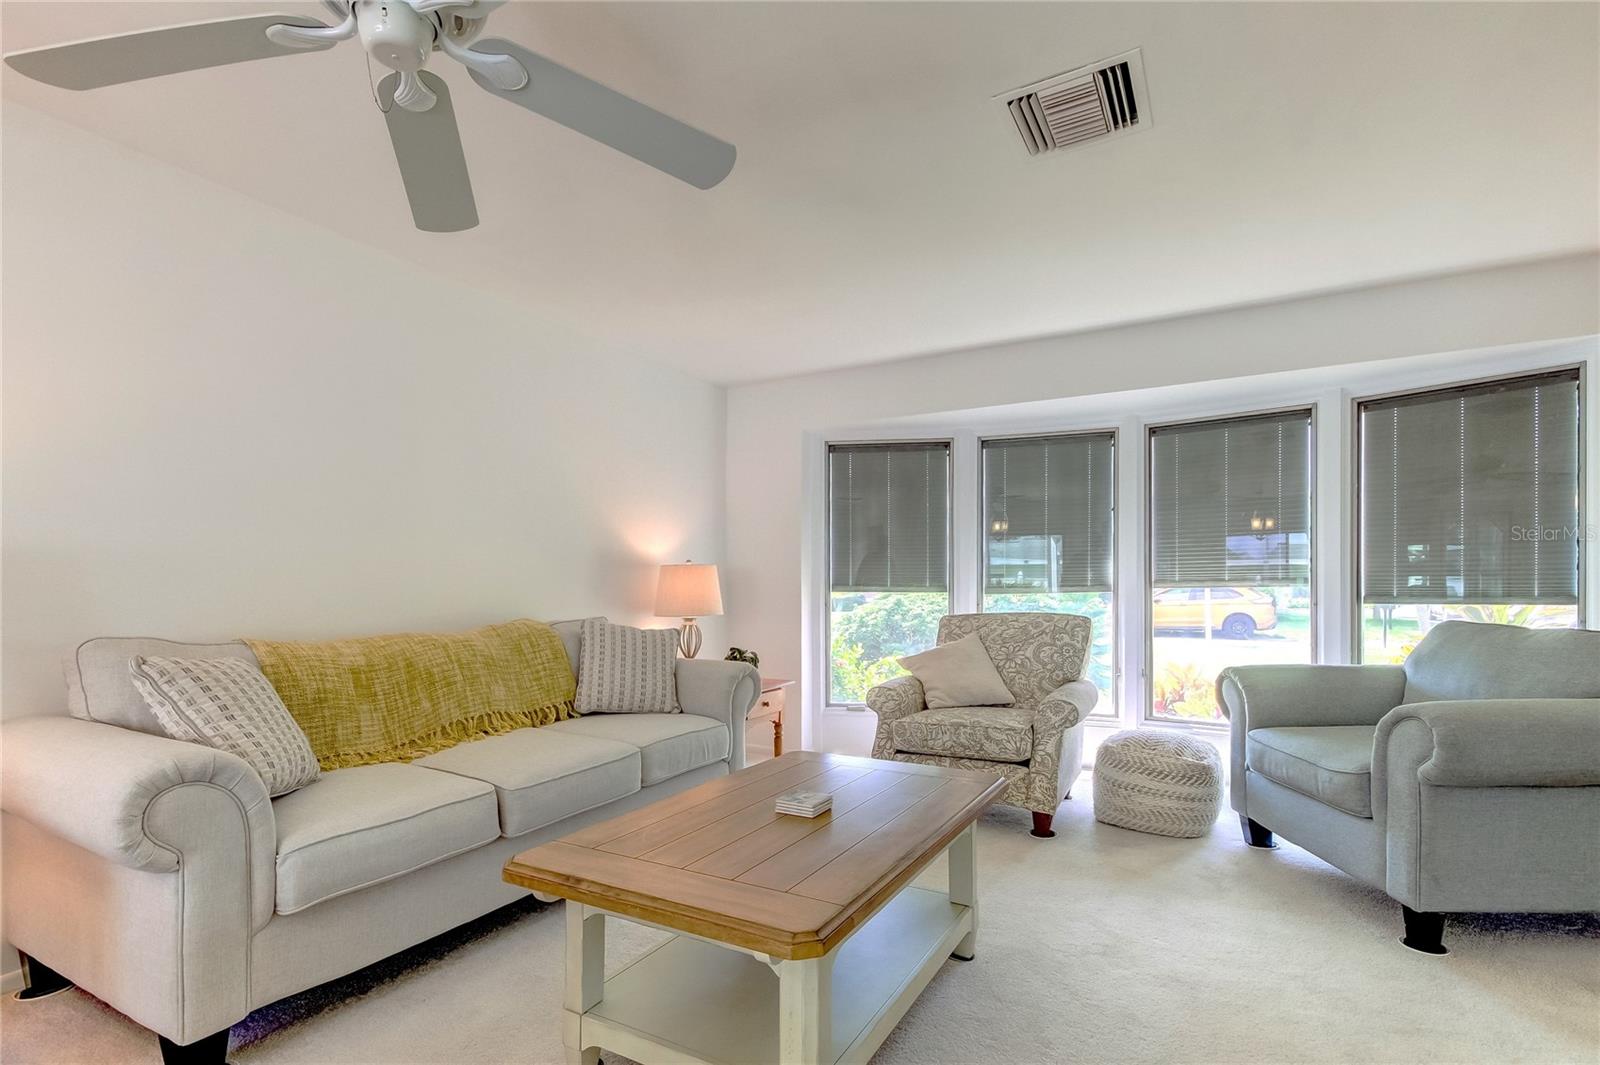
point(626, 671)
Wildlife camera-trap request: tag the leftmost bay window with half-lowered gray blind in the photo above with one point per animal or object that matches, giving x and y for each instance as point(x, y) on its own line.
point(889, 513)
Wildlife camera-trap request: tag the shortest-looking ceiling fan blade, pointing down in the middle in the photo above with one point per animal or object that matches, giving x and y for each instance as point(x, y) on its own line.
point(433, 166)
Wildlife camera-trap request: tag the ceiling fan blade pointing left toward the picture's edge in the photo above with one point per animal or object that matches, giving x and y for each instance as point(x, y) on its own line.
point(148, 55)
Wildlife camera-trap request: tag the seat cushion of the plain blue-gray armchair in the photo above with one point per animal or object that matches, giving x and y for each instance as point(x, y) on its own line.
point(1330, 764)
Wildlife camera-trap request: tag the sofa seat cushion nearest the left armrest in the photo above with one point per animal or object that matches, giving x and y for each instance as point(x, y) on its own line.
point(369, 824)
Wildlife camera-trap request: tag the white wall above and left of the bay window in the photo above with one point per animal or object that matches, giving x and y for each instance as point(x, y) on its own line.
point(772, 423)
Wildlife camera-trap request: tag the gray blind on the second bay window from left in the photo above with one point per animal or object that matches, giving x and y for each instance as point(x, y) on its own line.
point(1049, 514)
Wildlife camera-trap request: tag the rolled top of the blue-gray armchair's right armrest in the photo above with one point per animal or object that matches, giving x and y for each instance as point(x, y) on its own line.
point(1498, 743)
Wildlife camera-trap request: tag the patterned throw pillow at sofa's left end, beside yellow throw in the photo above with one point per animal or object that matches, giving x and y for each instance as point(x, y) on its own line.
point(228, 704)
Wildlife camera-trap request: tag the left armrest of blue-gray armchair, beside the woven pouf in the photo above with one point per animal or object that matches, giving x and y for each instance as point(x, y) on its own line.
point(1290, 696)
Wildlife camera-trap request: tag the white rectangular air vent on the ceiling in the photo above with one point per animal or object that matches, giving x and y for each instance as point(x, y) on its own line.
point(1081, 106)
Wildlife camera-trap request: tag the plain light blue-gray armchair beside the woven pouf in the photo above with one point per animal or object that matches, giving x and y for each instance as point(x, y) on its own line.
point(1465, 781)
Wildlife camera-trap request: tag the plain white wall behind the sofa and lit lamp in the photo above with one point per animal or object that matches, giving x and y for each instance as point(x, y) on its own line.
point(222, 421)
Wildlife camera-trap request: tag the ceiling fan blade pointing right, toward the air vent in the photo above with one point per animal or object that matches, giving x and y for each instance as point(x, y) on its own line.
point(607, 116)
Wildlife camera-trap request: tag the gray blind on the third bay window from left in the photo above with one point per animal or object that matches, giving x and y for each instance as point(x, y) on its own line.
point(1231, 503)
